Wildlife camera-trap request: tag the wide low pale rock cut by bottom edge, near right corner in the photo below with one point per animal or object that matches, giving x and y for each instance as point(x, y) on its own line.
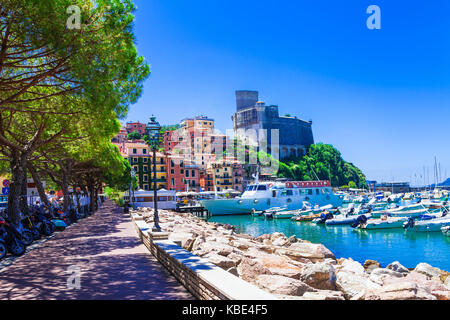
point(402, 290)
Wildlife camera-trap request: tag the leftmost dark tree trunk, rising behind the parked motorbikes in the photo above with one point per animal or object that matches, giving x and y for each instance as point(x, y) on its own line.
point(18, 166)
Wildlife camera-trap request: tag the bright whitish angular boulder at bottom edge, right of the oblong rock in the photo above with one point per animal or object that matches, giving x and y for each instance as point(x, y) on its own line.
point(353, 284)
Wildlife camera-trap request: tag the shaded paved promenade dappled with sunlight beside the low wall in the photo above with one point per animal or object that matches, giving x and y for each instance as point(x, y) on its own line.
point(114, 264)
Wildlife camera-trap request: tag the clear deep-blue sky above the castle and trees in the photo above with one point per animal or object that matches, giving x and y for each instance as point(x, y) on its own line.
point(382, 97)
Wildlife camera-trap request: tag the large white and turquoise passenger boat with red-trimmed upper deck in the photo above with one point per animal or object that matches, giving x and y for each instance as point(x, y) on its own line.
point(261, 196)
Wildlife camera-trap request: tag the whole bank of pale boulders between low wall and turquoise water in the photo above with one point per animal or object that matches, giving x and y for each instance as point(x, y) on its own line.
point(292, 268)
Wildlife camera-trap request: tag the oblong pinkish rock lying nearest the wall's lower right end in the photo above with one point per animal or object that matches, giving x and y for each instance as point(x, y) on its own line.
point(282, 285)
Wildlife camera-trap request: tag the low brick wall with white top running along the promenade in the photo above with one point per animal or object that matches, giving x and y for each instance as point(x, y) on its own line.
point(200, 277)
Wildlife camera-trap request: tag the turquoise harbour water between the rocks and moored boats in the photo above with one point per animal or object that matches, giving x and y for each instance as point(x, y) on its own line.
point(384, 246)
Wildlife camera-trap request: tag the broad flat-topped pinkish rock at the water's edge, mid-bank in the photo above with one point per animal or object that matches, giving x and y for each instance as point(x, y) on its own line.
point(301, 250)
